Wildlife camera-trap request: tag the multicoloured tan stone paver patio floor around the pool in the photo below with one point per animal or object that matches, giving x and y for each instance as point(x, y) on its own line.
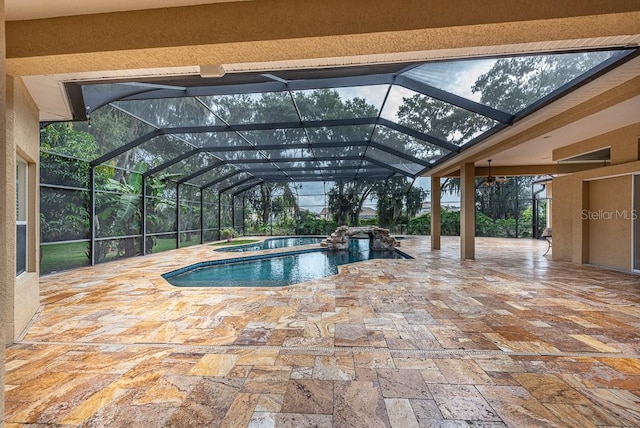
point(511, 339)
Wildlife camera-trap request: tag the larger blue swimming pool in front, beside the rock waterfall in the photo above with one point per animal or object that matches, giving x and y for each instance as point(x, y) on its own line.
point(275, 270)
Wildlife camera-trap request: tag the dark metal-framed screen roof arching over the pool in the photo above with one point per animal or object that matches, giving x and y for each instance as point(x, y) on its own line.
point(237, 131)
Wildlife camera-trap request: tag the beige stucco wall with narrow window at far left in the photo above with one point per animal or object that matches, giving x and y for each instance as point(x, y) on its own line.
point(23, 137)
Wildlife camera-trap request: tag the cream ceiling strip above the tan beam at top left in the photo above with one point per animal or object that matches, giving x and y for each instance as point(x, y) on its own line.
point(17, 10)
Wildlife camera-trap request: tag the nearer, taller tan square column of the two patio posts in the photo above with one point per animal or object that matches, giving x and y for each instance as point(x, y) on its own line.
point(467, 211)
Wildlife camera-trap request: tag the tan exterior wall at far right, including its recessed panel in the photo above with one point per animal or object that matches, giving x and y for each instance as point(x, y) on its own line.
point(592, 209)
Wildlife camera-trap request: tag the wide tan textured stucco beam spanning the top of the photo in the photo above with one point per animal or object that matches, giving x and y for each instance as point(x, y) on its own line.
point(286, 30)
